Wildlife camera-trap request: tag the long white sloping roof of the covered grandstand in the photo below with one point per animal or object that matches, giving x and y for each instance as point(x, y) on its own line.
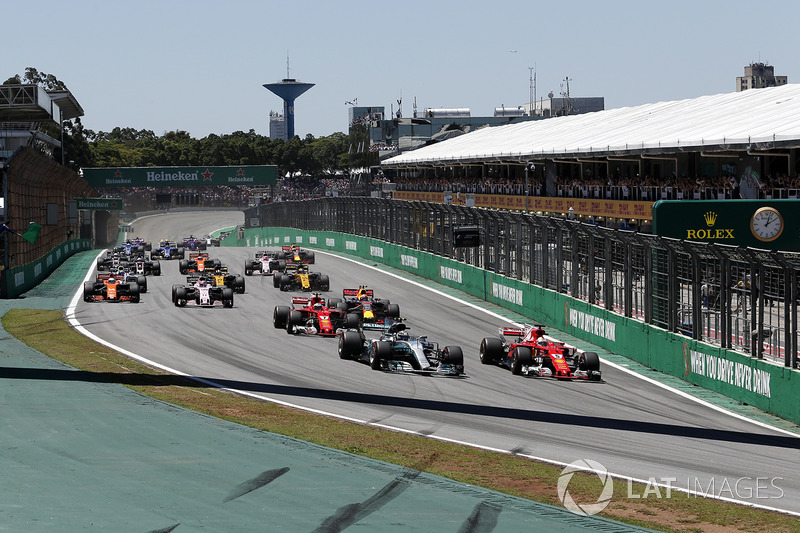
point(760, 119)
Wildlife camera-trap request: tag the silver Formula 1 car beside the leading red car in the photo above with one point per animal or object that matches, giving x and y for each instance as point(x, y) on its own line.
point(398, 351)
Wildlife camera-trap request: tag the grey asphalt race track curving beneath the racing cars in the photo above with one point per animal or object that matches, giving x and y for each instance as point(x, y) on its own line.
point(631, 426)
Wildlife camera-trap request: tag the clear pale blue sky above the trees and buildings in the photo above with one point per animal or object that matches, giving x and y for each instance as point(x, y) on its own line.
point(199, 66)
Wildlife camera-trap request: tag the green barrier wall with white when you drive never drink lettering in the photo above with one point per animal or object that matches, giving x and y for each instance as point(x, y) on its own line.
point(772, 388)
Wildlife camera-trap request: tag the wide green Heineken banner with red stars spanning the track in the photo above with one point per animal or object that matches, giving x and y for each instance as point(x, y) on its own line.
point(180, 176)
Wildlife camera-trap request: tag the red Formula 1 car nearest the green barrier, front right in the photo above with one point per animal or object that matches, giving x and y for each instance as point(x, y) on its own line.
point(533, 353)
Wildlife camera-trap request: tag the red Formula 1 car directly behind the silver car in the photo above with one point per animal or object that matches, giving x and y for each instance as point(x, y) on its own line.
point(312, 316)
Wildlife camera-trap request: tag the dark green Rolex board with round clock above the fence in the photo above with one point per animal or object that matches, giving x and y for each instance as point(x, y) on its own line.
point(765, 224)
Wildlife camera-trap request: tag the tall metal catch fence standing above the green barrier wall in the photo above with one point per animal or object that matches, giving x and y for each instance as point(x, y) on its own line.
point(741, 299)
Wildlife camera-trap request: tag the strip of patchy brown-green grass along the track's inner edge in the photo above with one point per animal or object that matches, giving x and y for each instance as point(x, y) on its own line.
point(48, 333)
